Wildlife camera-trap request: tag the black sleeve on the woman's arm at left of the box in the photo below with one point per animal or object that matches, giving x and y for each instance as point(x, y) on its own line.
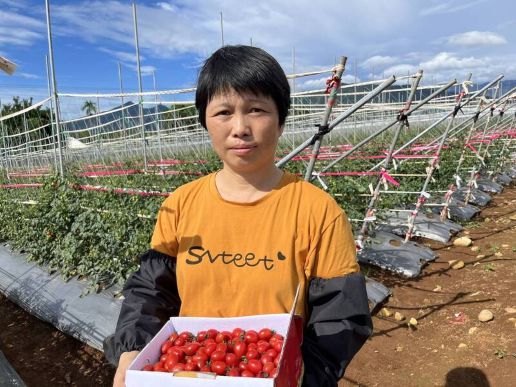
point(150, 299)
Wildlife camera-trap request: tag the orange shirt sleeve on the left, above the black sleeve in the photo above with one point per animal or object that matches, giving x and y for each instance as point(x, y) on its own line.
point(164, 239)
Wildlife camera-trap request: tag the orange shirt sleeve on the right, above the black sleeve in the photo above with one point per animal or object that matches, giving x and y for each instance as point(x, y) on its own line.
point(335, 252)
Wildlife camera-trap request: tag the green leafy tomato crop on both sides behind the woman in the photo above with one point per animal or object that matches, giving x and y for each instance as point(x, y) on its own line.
point(99, 235)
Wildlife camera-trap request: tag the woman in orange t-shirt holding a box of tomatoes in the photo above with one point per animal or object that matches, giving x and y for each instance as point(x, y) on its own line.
point(239, 241)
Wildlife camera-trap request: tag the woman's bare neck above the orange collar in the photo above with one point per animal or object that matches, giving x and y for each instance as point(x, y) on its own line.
point(247, 187)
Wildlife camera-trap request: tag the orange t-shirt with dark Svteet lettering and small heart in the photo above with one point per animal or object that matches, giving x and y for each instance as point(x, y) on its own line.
point(238, 259)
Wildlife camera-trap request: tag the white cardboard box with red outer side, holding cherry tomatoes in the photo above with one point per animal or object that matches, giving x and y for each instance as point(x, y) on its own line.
point(289, 371)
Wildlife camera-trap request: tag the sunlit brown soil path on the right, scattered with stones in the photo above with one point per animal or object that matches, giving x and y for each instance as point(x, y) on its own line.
point(440, 350)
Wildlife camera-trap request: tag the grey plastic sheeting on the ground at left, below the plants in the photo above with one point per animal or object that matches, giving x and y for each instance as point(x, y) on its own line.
point(89, 318)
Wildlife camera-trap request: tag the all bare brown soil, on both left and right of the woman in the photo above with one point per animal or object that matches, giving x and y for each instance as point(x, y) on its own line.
point(443, 349)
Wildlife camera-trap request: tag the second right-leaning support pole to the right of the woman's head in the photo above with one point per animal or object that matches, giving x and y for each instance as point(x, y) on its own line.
point(403, 122)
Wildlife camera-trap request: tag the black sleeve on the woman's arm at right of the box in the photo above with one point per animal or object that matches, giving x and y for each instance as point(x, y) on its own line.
point(339, 323)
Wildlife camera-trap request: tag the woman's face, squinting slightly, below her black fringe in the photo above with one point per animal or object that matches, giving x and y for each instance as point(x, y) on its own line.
point(244, 130)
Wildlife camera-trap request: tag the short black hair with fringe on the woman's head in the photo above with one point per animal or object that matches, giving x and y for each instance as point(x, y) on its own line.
point(243, 69)
